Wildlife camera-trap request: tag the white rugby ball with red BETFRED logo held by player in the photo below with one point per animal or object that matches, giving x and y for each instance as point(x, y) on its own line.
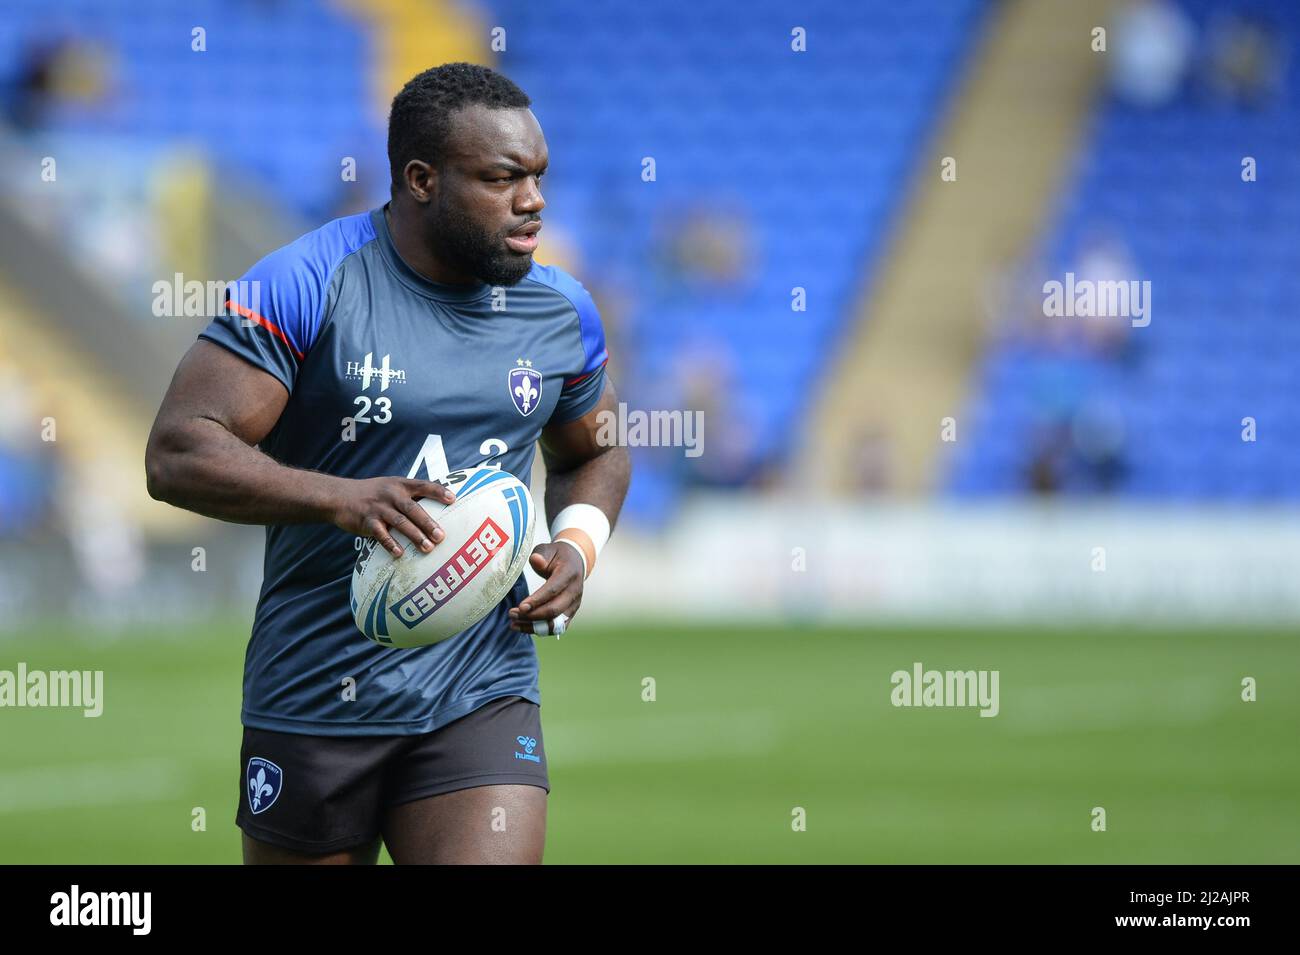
point(426, 598)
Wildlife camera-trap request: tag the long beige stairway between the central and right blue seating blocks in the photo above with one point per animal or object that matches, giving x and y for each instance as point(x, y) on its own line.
point(1012, 128)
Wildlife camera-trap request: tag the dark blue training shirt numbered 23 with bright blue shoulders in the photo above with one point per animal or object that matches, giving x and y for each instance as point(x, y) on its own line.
point(393, 375)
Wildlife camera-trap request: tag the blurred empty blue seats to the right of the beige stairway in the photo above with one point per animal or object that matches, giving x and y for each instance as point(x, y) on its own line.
point(1223, 259)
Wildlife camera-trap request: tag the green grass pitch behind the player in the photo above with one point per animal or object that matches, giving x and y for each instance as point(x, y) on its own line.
point(747, 726)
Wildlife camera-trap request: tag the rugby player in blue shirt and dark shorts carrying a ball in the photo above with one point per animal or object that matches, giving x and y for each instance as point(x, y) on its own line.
point(350, 370)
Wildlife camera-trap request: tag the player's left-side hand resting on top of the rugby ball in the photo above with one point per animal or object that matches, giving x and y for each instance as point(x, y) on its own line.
point(372, 507)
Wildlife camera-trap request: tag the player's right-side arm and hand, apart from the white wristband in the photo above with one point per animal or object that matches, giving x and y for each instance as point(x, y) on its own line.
point(579, 470)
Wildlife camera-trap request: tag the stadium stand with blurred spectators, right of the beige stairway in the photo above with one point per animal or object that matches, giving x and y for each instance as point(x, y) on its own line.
point(1159, 196)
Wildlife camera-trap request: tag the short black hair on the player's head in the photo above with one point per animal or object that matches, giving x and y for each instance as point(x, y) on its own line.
point(421, 120)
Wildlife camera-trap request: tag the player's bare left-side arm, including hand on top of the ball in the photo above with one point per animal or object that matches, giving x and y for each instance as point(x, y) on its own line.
point(202, 457)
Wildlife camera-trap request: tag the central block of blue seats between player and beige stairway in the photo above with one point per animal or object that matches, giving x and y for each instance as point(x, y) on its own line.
point(812, 147)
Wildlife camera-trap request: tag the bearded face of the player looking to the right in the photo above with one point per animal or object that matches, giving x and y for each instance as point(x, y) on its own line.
point(486, 202)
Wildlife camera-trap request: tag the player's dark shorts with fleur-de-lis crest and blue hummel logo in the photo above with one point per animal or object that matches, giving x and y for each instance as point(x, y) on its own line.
point(318, 795)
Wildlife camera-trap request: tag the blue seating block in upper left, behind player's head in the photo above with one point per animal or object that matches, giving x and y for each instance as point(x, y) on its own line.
point(280, 95)
